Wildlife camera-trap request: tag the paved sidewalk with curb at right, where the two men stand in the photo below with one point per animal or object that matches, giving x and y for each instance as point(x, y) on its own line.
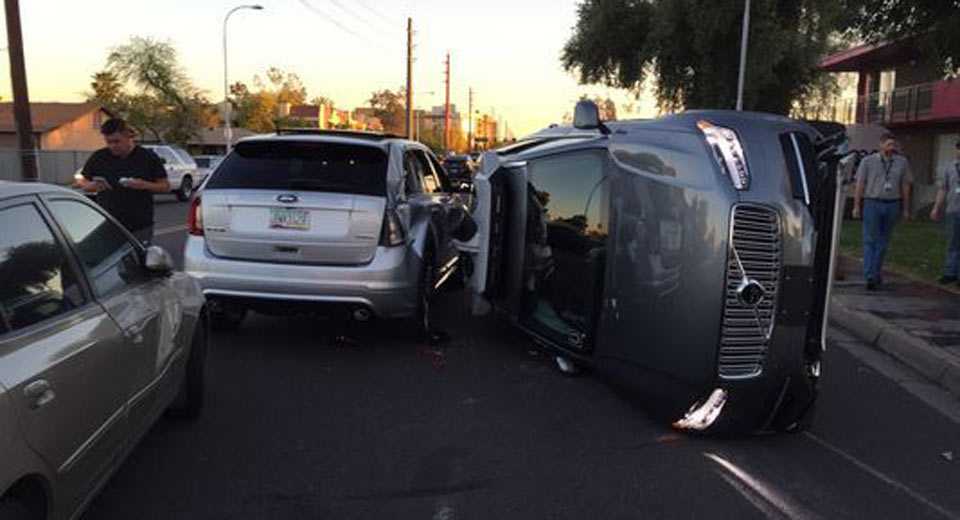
point(915, 322)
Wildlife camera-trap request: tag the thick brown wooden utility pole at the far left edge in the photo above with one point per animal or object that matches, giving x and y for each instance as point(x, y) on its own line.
point(21, 98)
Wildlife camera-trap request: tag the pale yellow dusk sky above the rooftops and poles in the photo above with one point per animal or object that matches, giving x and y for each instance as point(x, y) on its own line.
point(508, 51)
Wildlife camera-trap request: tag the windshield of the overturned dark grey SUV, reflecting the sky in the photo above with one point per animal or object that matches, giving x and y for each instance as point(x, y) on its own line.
point(565, 246)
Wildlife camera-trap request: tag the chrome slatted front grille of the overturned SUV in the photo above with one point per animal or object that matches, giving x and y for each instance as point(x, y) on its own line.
point(755, 254)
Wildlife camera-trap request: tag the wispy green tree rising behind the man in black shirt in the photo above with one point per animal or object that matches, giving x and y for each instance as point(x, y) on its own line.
point(163, 103)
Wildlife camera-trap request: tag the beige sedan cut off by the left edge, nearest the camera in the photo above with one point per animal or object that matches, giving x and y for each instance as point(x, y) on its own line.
point(98, 337)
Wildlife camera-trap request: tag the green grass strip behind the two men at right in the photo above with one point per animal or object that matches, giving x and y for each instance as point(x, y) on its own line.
point(917, 248)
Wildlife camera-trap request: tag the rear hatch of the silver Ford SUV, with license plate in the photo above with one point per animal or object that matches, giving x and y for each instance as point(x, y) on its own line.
point(297, 201)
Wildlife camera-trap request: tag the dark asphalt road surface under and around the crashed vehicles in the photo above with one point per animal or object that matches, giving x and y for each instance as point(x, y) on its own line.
point(300, 426)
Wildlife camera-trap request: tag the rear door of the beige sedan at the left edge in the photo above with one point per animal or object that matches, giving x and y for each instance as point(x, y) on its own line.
point(61, 355)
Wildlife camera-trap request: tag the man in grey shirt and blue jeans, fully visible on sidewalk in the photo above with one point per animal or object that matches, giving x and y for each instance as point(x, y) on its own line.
point(883, 190)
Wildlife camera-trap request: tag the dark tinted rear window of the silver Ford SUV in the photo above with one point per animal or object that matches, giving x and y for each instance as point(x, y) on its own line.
point(304, 166)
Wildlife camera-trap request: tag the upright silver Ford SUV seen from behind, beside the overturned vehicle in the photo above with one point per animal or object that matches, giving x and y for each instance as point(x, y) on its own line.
point(304, 220)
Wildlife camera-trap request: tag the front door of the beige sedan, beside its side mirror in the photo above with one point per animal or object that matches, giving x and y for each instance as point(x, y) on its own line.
point(144, 306)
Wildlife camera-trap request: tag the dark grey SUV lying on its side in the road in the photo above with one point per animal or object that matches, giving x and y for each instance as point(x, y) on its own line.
point(702, 246)
